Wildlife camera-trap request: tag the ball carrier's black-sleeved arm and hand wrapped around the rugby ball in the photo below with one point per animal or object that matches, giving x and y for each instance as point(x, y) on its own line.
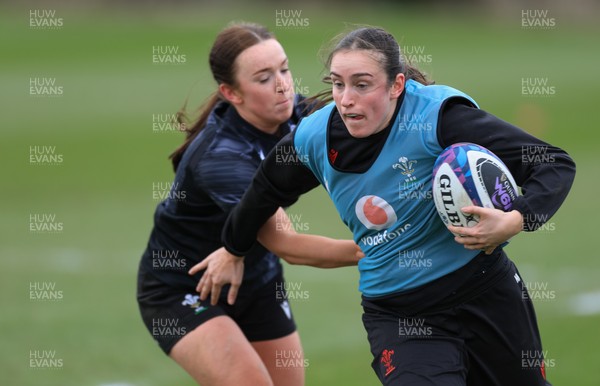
point(544, 172)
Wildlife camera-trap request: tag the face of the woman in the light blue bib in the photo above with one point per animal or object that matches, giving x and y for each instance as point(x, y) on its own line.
point(361, 91)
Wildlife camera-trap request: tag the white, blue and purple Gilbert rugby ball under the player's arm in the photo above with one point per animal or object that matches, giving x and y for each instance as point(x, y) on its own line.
point(467, 174)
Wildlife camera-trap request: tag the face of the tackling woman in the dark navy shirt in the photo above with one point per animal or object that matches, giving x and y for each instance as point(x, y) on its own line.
point(264, 95)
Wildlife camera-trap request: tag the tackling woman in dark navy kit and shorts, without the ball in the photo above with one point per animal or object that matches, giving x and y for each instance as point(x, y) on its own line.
point(252, 110)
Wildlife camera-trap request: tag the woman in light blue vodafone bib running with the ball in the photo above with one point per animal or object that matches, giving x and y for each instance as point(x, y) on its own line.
point(463, 318)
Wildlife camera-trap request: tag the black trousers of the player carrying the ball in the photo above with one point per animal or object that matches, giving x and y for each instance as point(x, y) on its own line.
point(483, 333)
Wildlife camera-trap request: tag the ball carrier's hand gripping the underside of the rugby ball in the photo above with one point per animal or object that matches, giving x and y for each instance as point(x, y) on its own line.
point(494, 228)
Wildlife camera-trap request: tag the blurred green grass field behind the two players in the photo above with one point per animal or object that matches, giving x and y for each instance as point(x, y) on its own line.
point(90, 196)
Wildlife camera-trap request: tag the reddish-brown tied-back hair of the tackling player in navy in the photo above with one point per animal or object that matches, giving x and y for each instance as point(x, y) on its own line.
point(228, 45)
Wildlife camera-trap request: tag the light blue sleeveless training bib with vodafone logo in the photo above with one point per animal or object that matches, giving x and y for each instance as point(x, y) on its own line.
point(389, 208)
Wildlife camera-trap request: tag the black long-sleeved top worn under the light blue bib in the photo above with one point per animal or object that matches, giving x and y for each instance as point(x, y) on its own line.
point(544, 172)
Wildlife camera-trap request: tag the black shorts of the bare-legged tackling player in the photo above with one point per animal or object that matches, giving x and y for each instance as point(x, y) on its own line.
point(169, 313)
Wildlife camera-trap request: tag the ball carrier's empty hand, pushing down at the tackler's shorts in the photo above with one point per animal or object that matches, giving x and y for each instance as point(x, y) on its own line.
point(221, 268)
